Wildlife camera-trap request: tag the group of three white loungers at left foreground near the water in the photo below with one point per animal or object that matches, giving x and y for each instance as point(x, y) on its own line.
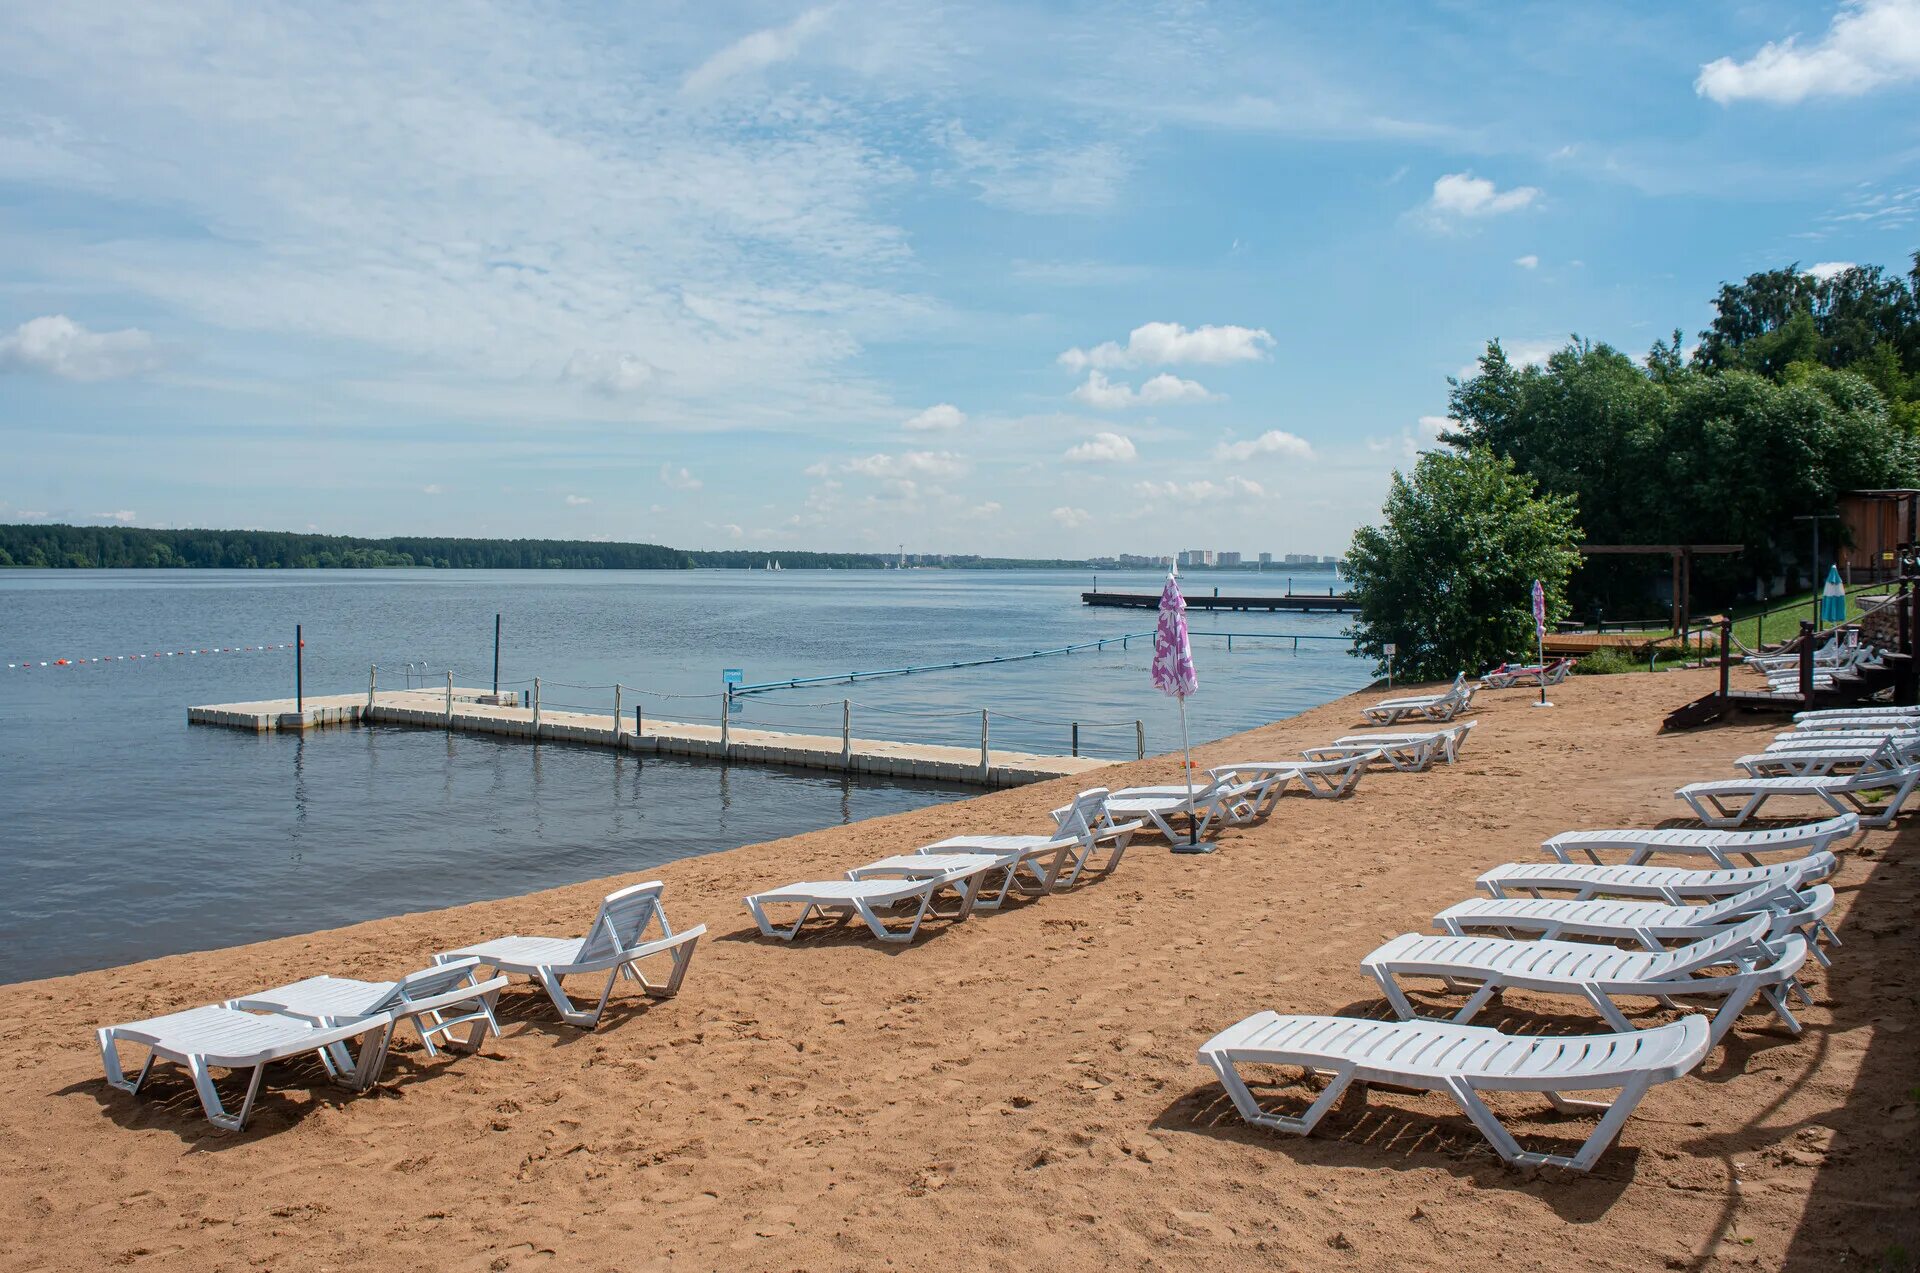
point(324, 1015)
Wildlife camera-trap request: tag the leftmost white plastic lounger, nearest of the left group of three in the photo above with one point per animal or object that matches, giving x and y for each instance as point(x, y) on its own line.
point(220, 1038)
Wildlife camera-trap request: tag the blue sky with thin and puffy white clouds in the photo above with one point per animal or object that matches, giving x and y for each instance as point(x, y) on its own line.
point(1007, 279)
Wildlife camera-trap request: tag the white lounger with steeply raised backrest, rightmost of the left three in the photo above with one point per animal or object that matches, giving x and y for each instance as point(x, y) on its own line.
point(615, 946)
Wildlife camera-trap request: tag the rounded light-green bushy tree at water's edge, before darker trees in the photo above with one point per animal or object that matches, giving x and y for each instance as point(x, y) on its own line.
point(1449, 573)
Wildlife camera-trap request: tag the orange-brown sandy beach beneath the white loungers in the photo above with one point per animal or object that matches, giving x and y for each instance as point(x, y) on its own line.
point(1019, 1090)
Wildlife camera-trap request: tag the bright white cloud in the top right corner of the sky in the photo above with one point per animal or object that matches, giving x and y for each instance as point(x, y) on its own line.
point(1871, 43)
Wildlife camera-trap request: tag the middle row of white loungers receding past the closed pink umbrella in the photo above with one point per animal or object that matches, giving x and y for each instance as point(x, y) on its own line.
point(957, 877)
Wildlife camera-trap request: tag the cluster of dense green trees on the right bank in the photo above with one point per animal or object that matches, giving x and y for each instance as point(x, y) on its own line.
point(1800, 391)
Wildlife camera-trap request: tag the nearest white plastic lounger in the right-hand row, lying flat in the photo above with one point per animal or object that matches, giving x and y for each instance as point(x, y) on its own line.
point(1460, 1061)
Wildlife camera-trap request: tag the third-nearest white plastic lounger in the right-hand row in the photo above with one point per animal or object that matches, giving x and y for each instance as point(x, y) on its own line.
point(1652, 925)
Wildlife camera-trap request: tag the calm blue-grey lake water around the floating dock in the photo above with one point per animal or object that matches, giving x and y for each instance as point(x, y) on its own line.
point(126, 834)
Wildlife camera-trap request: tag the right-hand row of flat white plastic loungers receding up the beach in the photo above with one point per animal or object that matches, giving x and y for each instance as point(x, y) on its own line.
point(1602, 932)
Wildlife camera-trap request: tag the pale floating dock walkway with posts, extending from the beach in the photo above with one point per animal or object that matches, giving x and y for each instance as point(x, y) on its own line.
point(429, 709)
